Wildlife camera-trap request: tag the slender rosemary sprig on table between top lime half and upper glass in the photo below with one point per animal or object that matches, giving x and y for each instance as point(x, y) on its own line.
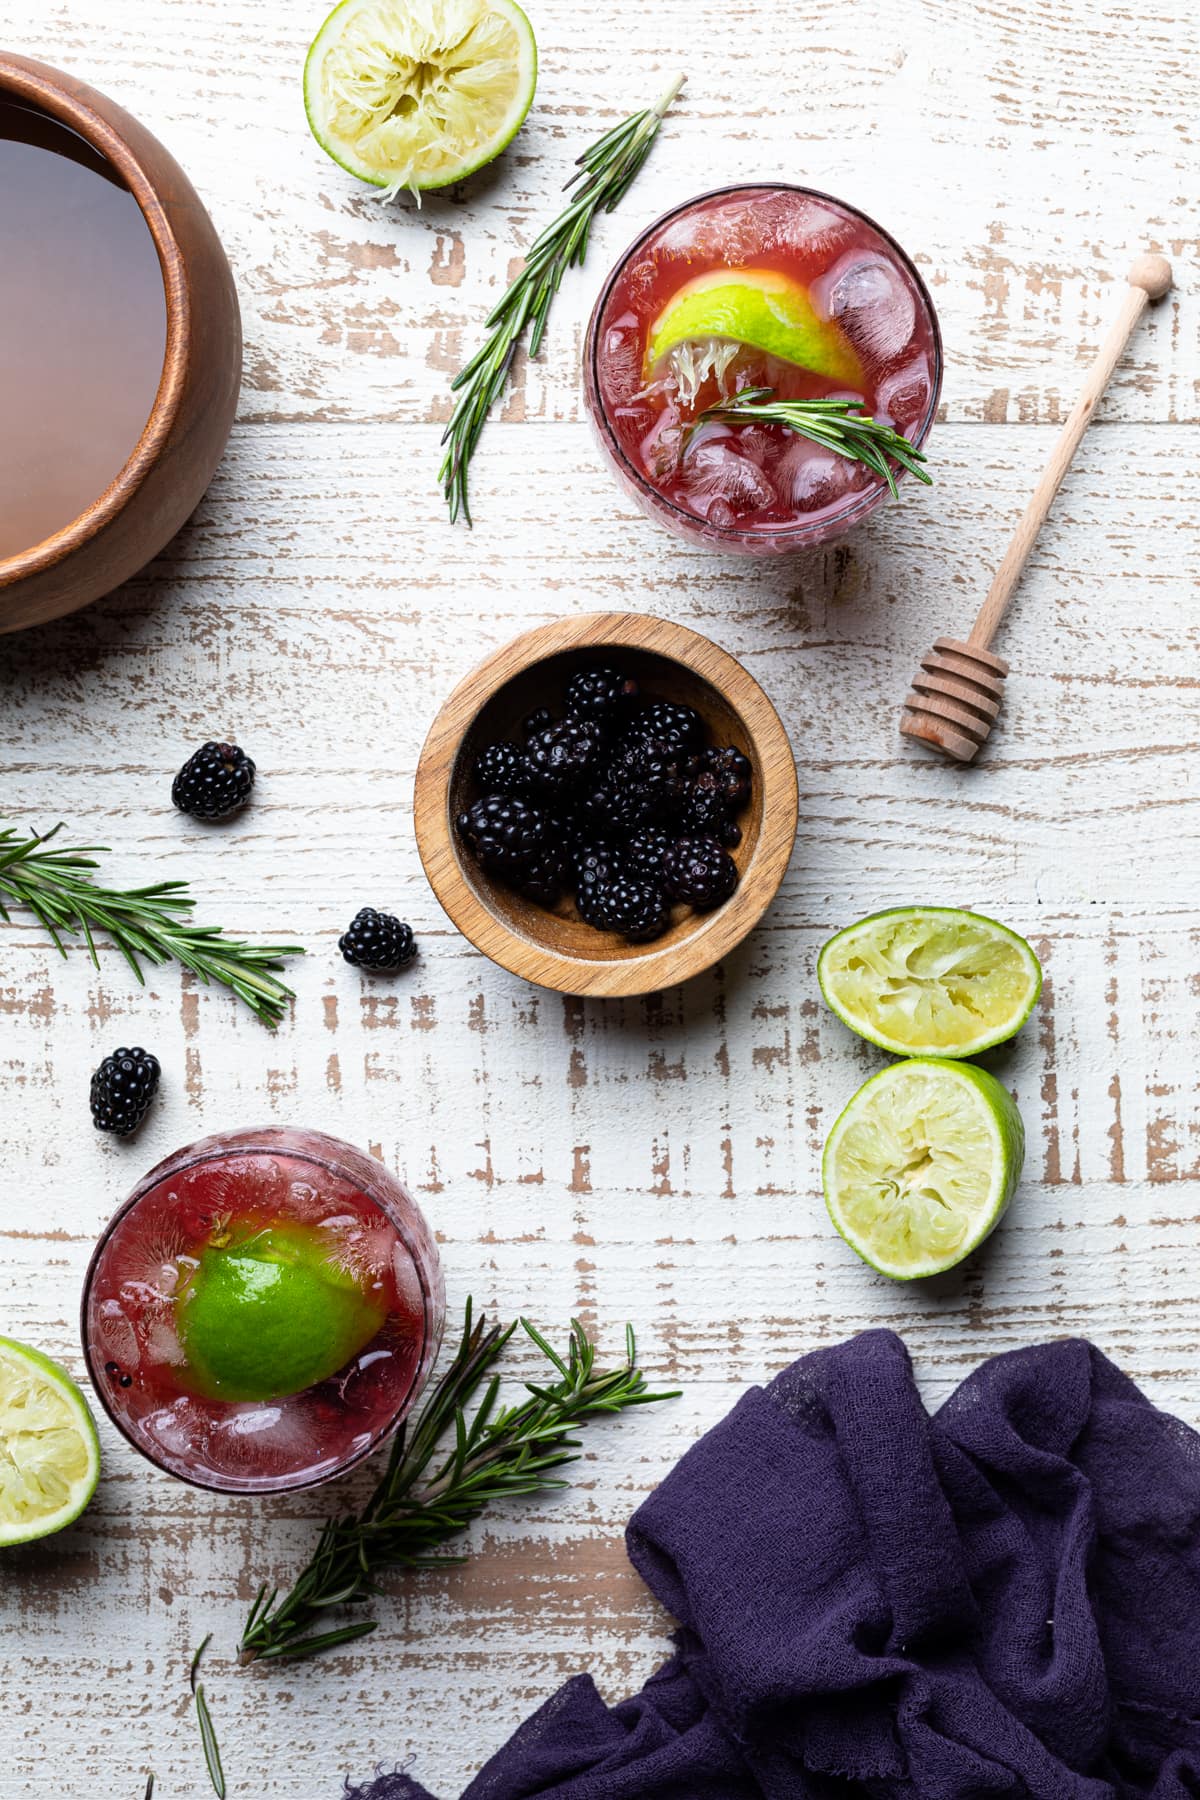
point(604, 174)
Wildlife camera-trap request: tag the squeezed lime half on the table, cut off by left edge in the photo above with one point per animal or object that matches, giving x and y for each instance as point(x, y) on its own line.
point(49, 1450)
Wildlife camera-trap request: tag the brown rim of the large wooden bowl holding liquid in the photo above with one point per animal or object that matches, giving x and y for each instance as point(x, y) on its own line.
point(64, 98)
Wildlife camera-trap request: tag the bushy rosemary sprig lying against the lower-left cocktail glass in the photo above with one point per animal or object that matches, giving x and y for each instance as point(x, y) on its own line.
point(424, 1500)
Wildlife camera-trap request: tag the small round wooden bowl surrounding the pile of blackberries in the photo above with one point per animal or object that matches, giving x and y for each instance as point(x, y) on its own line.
point(557, 949)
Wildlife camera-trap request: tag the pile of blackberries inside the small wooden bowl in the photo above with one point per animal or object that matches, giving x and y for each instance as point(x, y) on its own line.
point(618, 804)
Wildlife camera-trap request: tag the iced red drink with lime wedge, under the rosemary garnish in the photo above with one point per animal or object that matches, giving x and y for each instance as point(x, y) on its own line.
point(775, 289)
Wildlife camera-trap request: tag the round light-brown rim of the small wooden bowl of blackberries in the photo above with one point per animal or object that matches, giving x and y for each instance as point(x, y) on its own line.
point(650, 967)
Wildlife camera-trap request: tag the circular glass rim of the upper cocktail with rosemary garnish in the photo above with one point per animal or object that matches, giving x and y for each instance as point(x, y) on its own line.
point(805, 532)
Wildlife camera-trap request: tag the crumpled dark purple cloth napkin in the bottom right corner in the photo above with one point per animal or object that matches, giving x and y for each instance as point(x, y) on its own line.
point(1003, 1599)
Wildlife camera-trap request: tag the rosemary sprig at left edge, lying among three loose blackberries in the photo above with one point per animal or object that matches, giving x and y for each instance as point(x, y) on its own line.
point(147, 924)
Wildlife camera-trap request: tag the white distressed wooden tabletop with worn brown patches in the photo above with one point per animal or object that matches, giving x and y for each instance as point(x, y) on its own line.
point(650, 1160)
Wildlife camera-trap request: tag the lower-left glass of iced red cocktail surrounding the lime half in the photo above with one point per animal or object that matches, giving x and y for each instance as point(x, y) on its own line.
point(237, 1189)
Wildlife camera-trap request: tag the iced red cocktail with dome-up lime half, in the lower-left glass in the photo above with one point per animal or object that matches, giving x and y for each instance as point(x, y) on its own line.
point(264, 1311)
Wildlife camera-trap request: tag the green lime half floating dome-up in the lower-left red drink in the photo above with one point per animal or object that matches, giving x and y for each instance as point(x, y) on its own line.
point(271, 1317)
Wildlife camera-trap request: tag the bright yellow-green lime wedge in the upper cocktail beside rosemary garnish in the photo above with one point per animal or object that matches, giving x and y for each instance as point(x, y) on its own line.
point(762, 309)
